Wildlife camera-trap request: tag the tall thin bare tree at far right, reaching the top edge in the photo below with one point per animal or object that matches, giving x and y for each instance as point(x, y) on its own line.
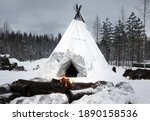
point(145, 13)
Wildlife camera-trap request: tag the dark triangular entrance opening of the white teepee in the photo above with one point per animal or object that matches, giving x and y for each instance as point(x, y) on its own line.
point(71, 71)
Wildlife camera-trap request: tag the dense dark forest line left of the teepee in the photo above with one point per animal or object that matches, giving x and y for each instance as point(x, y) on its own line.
point(23, 46)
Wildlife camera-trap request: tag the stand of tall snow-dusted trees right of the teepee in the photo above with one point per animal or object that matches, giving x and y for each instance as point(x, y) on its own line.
point(122, 44)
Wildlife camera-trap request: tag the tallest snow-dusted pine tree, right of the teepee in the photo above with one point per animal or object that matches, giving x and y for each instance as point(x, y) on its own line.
point(135, 34)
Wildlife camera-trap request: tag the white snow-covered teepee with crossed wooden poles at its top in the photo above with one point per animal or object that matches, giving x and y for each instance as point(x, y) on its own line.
point(77, 55)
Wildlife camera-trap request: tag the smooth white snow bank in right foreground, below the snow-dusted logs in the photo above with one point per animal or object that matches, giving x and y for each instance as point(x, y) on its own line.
point(114, 96)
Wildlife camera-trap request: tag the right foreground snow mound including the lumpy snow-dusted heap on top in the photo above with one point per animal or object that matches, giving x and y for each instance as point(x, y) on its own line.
point(121, 93)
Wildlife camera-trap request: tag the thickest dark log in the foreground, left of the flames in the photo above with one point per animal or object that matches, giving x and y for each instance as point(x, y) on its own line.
point(30, 88)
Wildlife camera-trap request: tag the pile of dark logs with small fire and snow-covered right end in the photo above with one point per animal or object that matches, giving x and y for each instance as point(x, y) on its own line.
point(73, 91)
